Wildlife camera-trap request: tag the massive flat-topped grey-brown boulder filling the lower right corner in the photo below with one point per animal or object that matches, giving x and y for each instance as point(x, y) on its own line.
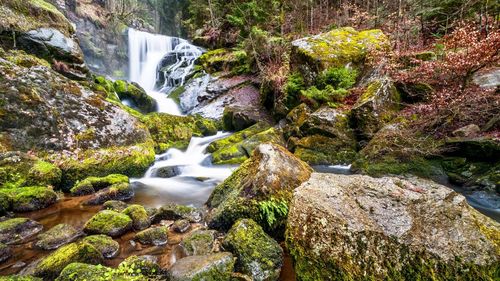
point(358, 227)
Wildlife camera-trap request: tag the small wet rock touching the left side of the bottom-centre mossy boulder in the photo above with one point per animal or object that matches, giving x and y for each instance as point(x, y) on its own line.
point(199, 242)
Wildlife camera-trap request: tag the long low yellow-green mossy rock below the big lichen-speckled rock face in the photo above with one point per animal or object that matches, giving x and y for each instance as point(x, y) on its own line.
point(132, 161)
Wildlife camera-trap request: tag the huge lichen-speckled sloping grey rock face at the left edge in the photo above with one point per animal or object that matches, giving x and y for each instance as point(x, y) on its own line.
point(67, 115)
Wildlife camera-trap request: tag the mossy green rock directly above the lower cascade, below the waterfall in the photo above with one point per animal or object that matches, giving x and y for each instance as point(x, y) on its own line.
point(176, 131)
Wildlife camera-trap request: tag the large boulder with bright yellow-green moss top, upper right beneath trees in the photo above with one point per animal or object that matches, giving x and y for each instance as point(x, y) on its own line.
point(336, 48)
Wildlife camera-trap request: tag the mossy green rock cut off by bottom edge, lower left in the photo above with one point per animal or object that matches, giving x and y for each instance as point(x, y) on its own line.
point(82, 272)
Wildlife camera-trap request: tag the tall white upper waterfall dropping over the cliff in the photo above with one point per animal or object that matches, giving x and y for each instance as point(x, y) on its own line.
point(146, 53)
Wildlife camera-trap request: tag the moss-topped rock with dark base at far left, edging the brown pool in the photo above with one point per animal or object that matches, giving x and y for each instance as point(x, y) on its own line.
point(32, 198)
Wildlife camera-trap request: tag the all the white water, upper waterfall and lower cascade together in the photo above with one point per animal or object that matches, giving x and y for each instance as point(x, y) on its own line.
point(196, 176)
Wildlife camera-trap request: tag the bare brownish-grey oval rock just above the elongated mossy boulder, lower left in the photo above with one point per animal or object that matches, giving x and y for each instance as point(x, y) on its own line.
point(57, 236)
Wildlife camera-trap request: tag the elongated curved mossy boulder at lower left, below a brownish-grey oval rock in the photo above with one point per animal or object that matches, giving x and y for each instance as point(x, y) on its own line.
point(50, 266)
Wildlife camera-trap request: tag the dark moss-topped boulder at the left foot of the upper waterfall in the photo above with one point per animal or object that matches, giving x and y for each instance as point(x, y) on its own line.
point(136, 94)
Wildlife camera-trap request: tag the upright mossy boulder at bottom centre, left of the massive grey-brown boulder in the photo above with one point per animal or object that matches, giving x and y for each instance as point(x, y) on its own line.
point(258, 255)
